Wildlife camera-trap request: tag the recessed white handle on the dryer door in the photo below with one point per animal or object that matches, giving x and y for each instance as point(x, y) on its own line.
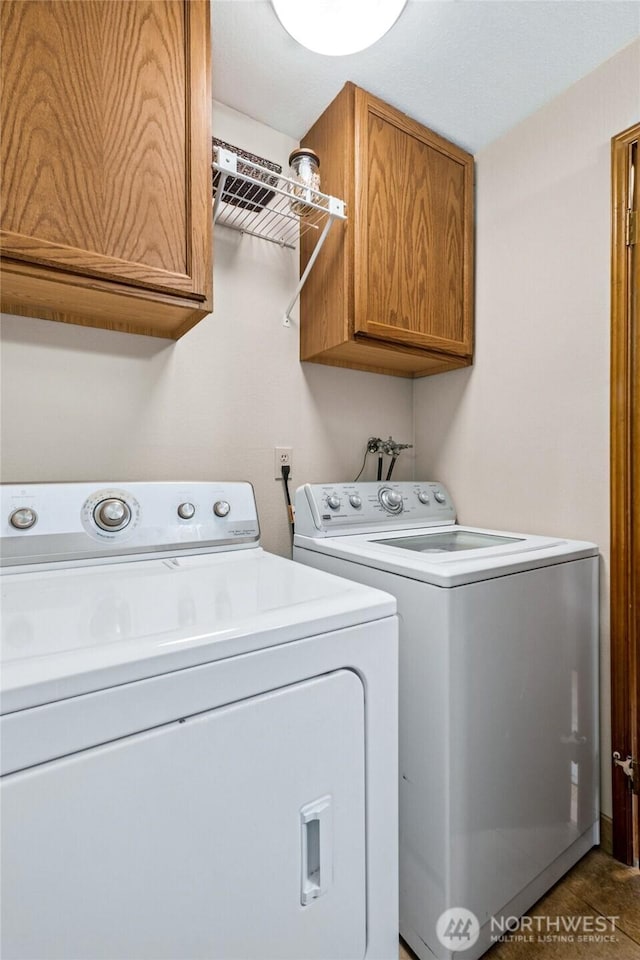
point(316, 836)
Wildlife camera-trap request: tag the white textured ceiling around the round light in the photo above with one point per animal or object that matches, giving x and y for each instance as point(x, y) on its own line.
point(469, 69)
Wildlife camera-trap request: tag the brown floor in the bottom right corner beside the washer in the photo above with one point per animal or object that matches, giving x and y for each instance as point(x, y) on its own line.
point(598, 886)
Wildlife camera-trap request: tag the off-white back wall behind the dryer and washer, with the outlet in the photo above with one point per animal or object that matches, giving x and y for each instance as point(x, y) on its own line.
point(83, 404)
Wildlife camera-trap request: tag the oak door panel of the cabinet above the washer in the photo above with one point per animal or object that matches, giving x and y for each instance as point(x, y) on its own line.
point(413, 233)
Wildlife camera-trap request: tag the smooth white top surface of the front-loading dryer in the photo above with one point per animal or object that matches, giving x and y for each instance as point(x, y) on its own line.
point(67, 632)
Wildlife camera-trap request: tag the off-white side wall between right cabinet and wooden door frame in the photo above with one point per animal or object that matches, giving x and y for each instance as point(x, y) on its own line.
point(522, 437)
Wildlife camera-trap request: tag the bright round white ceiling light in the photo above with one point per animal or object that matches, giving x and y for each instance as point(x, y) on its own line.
point(337, 27)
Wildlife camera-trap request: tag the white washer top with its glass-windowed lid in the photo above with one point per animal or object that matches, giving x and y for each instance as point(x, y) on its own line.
point(451, 555)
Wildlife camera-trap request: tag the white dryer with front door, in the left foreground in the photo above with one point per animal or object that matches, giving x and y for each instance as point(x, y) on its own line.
point(198, 738)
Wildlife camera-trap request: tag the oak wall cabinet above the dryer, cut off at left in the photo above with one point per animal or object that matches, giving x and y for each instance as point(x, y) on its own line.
point(106, 155)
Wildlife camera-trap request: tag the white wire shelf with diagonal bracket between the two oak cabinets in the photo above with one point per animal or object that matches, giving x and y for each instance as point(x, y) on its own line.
point(254, 200)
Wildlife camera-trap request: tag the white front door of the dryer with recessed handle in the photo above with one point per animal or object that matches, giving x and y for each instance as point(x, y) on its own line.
point(234, 833)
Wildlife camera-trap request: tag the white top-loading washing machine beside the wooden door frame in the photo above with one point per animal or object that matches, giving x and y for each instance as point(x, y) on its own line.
point(498, 700)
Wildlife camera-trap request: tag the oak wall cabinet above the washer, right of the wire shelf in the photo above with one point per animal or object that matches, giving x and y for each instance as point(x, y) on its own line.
point(392, 290)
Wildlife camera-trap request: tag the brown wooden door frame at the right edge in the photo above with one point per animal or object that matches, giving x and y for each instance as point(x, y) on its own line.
point(625, 493)
